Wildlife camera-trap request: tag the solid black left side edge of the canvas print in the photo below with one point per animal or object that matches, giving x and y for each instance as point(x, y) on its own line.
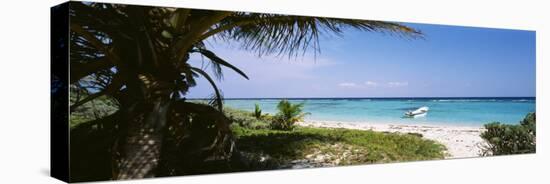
point(59, 92)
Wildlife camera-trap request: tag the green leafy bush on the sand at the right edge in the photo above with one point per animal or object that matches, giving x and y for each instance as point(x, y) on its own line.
point(504, 139)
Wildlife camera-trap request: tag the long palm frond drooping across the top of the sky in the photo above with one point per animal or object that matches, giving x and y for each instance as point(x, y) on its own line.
point(292, 35)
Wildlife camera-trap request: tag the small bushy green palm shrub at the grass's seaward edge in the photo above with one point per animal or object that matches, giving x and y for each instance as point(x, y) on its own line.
point(288, 115)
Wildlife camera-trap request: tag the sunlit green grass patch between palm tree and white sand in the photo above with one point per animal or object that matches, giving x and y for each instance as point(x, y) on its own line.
point(328, 146)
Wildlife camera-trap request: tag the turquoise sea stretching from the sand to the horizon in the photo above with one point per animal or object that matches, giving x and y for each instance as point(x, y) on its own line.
point(446, 111)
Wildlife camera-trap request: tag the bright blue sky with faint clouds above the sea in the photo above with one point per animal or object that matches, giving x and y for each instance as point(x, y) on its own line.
point(451, 61)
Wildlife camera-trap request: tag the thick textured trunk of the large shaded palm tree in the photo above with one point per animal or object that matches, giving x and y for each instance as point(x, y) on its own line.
point(147, 111)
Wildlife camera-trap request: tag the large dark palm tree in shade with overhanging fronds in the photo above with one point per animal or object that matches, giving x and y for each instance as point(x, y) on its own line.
point(139, 55)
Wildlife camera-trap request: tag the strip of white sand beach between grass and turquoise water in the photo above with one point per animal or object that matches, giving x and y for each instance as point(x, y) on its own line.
point(461, 141)
